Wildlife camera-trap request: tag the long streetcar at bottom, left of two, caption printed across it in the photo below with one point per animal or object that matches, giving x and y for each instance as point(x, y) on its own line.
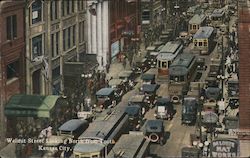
point(102, 134)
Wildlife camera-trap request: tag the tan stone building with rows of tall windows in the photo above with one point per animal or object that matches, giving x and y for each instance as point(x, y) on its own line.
point(55, 33)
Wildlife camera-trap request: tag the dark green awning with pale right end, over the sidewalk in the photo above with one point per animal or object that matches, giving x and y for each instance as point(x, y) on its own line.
point(30, 105)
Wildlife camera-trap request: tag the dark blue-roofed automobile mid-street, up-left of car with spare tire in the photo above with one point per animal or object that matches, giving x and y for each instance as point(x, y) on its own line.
point(149, 90)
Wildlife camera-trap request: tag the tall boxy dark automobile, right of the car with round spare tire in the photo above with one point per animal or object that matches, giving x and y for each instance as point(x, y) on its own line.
point(189, 110)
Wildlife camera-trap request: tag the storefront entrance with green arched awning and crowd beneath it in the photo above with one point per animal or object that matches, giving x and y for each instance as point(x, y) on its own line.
point(27, 115)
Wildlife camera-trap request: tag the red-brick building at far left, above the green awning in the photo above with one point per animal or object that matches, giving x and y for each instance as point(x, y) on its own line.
point(11, 55)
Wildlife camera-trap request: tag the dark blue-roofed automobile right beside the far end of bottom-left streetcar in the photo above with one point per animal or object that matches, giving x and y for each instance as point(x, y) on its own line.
point(135, 116)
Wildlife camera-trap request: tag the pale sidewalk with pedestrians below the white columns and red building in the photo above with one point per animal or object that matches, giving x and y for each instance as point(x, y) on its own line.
point(116, 67)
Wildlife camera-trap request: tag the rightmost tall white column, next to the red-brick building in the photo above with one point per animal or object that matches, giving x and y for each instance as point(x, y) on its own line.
point(105, 27)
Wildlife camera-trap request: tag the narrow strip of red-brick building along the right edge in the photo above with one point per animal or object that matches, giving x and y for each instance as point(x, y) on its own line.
point(244, 73)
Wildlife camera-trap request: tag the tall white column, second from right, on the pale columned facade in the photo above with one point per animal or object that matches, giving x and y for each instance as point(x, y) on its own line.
point(99, 35)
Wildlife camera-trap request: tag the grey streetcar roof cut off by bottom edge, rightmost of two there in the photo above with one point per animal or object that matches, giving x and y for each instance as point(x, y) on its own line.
point(132, 145)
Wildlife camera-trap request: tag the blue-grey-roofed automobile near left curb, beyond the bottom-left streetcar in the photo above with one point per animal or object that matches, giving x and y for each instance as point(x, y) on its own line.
point(106, 98)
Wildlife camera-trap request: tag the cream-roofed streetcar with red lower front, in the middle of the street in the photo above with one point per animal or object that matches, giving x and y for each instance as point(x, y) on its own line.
point(166, 56)
